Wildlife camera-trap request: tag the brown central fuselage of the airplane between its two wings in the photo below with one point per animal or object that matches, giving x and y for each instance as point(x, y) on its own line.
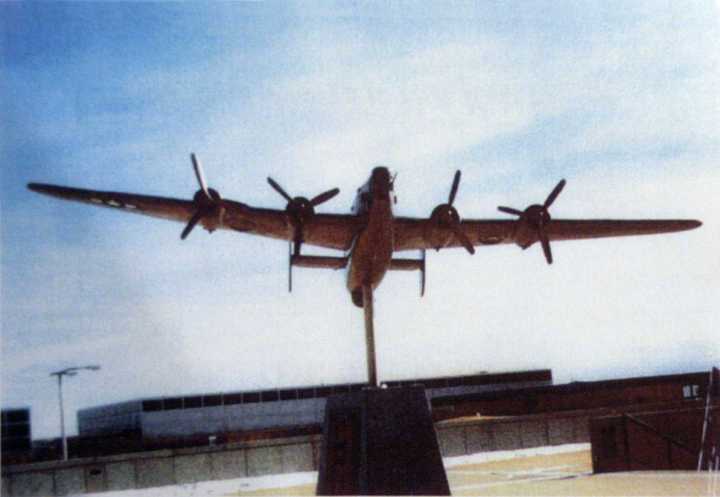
point(372, 250)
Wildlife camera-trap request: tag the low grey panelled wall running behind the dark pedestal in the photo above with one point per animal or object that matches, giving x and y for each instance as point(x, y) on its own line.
point(273, 456)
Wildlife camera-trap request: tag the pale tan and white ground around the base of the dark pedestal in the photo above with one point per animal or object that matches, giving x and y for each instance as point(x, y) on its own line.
point(545, 471)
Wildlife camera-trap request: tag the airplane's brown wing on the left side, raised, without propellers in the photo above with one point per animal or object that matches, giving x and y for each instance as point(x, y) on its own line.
point(323, 230)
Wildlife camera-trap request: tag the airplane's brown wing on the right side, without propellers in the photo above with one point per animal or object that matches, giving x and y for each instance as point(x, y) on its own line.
point(413, 233)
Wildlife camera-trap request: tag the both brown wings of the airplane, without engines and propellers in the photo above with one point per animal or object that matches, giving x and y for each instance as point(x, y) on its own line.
point(338, 231)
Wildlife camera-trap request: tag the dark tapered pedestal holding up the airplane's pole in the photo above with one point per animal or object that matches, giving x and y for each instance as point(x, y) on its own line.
point(380, 442)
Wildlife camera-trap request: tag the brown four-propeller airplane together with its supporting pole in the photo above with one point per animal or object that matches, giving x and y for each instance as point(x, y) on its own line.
point(370, 235)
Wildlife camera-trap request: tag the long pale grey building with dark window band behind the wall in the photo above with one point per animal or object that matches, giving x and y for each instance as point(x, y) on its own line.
point(212, 415)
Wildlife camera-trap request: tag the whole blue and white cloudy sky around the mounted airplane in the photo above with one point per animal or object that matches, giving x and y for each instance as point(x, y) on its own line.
point(618, 98)
